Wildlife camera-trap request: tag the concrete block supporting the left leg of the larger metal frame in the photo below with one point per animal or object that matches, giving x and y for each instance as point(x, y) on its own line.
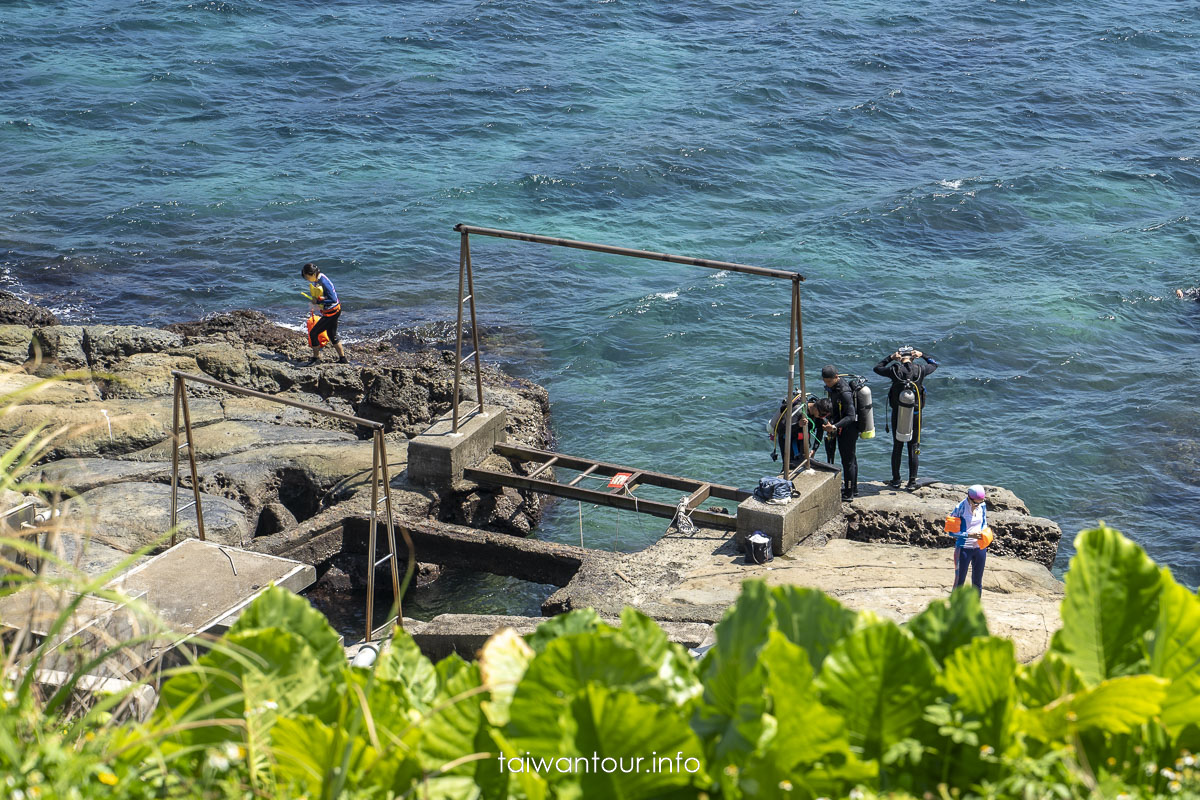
point(437, 458)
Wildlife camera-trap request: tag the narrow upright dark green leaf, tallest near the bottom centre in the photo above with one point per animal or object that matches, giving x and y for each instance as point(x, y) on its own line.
point(731, 717)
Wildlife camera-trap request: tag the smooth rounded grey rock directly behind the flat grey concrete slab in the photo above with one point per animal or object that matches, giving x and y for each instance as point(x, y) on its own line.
point(130, 516)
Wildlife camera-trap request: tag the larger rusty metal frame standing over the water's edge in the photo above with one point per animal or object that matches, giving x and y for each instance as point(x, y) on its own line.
point(466, 278)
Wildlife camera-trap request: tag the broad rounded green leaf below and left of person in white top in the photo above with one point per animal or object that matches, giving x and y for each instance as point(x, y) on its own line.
point(880, 678)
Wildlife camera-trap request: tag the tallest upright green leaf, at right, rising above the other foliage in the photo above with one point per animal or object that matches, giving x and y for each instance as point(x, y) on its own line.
point(1113, 591)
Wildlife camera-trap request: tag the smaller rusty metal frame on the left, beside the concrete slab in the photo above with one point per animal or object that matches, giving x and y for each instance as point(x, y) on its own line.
point(379, 476)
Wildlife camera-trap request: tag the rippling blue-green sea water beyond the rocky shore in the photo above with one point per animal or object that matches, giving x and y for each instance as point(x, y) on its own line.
point(1012, 188)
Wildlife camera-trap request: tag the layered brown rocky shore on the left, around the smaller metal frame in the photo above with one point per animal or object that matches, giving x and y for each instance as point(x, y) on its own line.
point(263, 468)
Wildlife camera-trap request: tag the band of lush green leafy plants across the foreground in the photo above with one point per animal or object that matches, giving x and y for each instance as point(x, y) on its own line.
point(801, 697)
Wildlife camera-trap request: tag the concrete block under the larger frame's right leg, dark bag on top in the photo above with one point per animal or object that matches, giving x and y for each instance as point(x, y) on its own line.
point(820, 501)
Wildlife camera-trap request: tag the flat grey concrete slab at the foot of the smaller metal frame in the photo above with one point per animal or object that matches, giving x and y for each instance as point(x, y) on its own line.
point(196, 585)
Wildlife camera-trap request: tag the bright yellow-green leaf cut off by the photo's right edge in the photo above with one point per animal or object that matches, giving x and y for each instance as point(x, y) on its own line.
point(1175, 654)
